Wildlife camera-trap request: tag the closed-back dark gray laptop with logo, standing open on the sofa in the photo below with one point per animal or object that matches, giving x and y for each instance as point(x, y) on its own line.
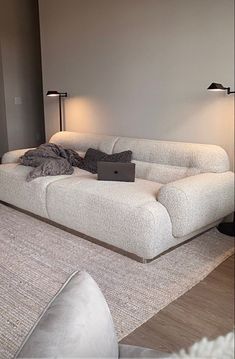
point(116, 171)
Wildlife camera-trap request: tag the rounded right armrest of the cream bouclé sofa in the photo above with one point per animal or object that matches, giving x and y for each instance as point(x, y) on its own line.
point(197, 201)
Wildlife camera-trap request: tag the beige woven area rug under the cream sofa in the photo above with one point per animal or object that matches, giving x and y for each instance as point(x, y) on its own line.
point(36, 258)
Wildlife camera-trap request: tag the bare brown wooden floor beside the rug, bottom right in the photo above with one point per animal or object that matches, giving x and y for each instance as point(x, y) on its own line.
point(206, 310)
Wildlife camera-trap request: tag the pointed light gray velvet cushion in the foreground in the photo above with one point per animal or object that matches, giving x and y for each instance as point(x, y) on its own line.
point(76, 324)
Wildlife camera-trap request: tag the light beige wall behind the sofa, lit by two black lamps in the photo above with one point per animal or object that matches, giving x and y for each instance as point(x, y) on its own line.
point(140, 67)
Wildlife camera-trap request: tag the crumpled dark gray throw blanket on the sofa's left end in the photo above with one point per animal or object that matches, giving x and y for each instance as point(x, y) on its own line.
point(50, 160)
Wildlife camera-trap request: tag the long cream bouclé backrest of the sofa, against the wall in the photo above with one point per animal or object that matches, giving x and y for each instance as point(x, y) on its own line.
point(160, 161)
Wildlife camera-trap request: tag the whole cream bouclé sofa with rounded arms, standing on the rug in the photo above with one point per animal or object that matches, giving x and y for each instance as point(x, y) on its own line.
point(181, 190)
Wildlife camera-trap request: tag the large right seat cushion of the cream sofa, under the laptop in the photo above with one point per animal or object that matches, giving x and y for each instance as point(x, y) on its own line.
point(126, 215)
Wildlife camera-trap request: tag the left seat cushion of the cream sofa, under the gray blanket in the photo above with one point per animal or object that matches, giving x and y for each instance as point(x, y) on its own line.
point(30, 196)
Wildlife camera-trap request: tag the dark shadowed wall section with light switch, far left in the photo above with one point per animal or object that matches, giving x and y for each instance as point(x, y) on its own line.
point(21, 73)
